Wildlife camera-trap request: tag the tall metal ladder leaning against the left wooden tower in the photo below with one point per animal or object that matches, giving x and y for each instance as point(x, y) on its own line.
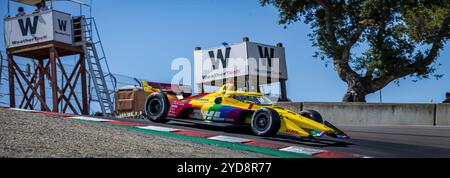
point(96, 60)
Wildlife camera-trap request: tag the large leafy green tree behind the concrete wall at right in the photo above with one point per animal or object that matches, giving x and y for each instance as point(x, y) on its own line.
point(401, 38)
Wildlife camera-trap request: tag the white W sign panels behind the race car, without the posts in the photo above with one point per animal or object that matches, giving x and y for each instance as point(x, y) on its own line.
point(244, 59)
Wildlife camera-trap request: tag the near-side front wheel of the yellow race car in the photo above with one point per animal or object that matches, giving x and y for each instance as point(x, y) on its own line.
point(265, 122)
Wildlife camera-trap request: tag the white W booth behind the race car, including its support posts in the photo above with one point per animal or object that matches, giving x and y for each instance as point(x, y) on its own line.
point(248, 65)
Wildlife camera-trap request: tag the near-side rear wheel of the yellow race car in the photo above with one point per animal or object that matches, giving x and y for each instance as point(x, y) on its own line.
point(157, 107)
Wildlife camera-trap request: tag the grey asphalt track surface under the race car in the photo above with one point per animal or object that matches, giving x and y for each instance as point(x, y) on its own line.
point(376, 142)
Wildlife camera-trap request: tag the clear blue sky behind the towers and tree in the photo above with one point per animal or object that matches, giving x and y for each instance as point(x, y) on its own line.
point(142, 37)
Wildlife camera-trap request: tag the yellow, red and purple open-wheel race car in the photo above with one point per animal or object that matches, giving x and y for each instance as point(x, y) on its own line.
point(228, 106)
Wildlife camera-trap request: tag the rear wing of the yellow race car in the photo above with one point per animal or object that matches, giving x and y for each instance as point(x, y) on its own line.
point(151, 87)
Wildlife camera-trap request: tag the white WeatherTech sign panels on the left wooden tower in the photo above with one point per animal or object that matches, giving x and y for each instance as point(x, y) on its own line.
point(38, 28)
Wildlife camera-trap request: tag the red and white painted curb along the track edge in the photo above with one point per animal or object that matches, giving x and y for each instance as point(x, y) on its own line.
point(281, 147)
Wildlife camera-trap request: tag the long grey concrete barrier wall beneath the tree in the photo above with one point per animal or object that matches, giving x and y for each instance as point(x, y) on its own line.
point(374, 114)
